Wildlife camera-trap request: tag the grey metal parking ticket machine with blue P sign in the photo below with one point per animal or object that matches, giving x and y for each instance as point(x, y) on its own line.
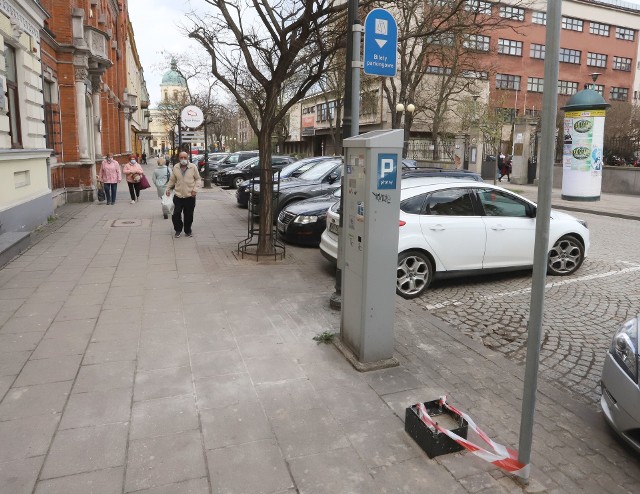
point(371, 213)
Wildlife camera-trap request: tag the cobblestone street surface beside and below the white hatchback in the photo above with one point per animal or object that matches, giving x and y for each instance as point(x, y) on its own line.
point(581, 311)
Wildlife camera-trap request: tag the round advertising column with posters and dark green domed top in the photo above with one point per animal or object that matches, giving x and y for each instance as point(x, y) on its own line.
point(582, 157)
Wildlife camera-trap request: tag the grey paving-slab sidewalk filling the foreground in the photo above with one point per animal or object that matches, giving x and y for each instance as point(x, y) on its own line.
point(131, 361)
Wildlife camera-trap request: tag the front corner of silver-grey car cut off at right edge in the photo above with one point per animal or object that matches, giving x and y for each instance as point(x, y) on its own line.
point(620, 399)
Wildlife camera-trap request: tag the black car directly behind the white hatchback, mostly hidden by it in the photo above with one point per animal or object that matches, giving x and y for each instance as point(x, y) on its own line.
point(304, 222)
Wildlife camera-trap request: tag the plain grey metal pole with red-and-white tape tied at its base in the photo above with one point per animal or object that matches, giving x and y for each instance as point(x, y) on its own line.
point(550, 105)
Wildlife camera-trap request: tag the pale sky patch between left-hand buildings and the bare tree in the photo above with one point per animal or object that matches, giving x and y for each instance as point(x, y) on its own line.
point(155, 26)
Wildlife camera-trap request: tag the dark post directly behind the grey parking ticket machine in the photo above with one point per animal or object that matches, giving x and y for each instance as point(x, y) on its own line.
point(352, 12)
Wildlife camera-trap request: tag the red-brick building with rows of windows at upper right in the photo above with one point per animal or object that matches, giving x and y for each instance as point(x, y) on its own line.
point(596, 37)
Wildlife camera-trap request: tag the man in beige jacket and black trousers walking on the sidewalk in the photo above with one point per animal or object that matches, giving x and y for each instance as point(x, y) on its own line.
point(185, 182)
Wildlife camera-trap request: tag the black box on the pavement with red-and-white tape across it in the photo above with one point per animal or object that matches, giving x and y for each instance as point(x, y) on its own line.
point(433, 442)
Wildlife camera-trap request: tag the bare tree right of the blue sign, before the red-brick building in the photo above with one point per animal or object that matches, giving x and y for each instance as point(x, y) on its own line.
point(441, 36)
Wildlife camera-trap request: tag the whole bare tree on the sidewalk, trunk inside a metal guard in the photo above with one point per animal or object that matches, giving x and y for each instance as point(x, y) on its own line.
point(255, 47)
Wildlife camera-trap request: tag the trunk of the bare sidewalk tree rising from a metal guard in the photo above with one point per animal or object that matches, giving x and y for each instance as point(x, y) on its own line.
point(265, 223)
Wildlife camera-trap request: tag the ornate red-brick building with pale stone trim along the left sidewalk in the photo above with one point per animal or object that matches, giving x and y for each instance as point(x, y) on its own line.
point(88, 104)
